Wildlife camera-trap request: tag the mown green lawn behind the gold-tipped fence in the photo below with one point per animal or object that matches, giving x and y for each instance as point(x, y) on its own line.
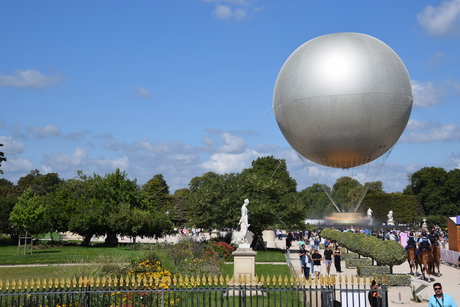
point(77, 254)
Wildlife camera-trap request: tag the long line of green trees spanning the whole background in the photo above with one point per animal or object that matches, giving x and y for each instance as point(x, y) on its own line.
point(113, 205)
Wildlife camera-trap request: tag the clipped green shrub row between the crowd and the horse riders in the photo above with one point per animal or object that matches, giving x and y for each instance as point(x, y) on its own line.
point(387, 252)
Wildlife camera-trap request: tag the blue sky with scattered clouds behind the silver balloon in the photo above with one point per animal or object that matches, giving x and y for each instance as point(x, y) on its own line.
point(184, 87)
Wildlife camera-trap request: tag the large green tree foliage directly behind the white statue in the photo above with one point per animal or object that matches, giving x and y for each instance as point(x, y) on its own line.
point(217, 201)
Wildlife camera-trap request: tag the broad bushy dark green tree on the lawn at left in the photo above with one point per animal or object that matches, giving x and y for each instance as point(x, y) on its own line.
point(87, 205)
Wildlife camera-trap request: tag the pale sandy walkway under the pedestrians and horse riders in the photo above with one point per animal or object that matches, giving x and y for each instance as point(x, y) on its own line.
point(450, 279)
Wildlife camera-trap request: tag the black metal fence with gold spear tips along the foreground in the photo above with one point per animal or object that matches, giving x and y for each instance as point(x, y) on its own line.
point(326, 291)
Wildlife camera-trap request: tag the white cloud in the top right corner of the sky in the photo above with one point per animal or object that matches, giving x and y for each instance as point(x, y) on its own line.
point(441, 20)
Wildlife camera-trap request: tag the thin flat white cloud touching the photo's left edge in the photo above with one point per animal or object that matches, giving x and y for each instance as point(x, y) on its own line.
point(30, 78)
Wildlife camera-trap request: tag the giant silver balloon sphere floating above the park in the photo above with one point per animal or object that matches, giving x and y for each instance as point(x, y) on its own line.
point(343, 100)
